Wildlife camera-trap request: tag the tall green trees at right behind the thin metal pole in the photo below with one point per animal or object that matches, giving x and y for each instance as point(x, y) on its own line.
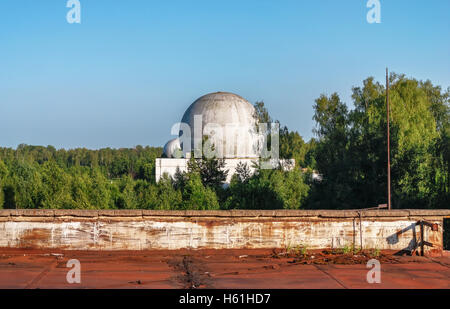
point(351, 150)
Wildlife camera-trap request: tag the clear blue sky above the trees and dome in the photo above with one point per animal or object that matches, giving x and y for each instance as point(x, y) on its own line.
point(128, 72)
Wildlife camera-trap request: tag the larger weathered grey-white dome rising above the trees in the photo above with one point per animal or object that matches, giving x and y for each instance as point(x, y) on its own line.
point(228, 121)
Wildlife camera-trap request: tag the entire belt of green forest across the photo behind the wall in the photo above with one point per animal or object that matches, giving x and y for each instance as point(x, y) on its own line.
point(349, 151)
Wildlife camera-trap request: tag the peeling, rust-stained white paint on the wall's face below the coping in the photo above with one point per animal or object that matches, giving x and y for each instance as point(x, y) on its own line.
point(169, 232)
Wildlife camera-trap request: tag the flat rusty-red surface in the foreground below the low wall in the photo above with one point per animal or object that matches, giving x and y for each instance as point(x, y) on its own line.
point(21, 268)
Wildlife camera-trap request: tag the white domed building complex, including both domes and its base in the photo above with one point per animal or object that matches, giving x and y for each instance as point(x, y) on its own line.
point(230, 124)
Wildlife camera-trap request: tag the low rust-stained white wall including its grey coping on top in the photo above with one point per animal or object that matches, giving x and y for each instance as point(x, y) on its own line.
point(146, 229)
